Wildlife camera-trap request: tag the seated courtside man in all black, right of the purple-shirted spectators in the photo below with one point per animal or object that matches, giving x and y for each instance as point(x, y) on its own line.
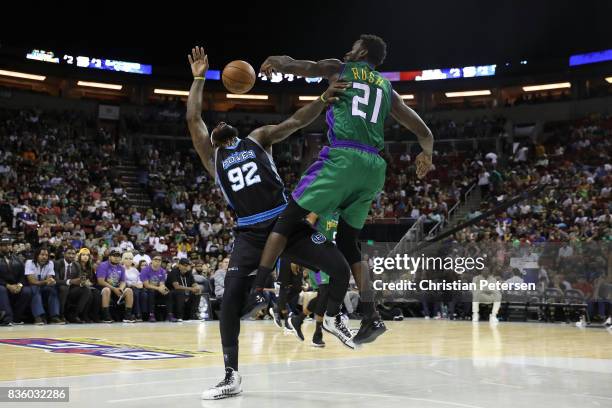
point(185, 292)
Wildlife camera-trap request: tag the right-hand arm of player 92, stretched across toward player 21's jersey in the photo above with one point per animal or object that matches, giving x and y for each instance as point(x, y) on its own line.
point(266, 136)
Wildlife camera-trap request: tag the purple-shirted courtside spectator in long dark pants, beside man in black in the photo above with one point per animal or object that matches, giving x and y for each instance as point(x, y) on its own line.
point(153, 278)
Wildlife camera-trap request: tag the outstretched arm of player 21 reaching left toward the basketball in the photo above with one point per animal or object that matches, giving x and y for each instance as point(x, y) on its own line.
point(328, 68)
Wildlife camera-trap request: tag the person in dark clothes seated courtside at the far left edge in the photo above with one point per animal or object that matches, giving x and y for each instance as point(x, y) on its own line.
point(15, 297)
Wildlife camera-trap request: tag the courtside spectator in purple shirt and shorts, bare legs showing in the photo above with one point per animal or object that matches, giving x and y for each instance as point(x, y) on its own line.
point(111, 281)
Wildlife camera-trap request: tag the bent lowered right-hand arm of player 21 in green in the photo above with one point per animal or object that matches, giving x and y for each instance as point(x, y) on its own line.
point(413, 122)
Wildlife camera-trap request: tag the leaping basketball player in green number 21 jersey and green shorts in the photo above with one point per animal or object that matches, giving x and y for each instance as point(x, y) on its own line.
point(350, 172)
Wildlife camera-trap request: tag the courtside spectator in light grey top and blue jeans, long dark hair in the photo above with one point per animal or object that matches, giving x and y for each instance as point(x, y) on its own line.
point(41, 277)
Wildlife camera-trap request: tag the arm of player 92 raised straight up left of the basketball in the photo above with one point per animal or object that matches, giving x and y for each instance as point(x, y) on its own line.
point(197, 128)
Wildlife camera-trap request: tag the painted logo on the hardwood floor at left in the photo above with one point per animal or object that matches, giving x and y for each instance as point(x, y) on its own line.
point(100, 348)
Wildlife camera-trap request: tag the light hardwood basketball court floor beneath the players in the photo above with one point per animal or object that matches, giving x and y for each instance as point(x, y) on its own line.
point(418, 363)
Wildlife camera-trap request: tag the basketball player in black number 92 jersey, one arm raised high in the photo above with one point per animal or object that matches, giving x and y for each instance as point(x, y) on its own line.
point(246, 174)
